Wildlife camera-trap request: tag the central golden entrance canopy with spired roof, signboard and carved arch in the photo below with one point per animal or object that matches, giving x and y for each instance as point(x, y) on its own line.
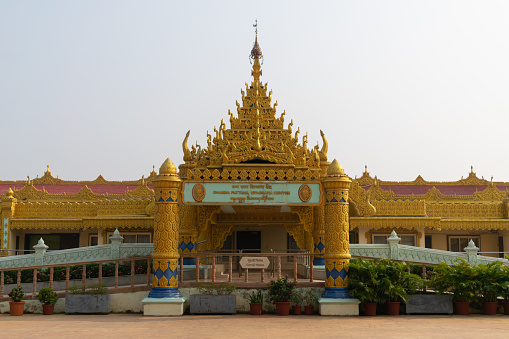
point(255, 176)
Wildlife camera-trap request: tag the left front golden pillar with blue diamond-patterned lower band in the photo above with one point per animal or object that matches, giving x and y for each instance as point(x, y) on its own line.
point(166, 233)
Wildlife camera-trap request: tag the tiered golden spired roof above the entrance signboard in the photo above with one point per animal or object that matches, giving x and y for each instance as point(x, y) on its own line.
point(256, 136)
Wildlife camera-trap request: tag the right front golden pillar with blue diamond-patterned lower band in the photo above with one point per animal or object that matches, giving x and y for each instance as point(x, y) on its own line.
point(337, 248)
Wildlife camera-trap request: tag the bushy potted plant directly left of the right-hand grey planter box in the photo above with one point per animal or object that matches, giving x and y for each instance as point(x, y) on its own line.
point(395, 283)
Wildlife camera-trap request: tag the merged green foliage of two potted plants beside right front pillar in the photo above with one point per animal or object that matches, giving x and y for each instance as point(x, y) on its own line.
point(381, 281)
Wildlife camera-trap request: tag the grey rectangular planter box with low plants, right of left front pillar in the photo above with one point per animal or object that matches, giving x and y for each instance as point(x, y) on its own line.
point(214, 299)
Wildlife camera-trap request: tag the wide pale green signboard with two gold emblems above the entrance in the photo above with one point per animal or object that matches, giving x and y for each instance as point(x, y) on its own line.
point(269, 193)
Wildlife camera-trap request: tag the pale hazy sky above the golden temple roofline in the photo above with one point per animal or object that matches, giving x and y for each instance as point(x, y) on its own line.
point(111, 87)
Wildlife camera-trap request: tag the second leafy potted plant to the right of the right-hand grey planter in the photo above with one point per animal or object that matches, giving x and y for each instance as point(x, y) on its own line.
point(492, 278)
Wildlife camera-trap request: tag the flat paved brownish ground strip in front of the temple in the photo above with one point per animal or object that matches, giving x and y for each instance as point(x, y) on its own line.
point(246, 326)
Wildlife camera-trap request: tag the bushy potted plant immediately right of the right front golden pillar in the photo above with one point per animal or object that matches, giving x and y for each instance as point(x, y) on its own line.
point(363, 284)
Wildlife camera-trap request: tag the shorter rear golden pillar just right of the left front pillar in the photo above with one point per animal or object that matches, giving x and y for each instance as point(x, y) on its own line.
point(188, 232)
